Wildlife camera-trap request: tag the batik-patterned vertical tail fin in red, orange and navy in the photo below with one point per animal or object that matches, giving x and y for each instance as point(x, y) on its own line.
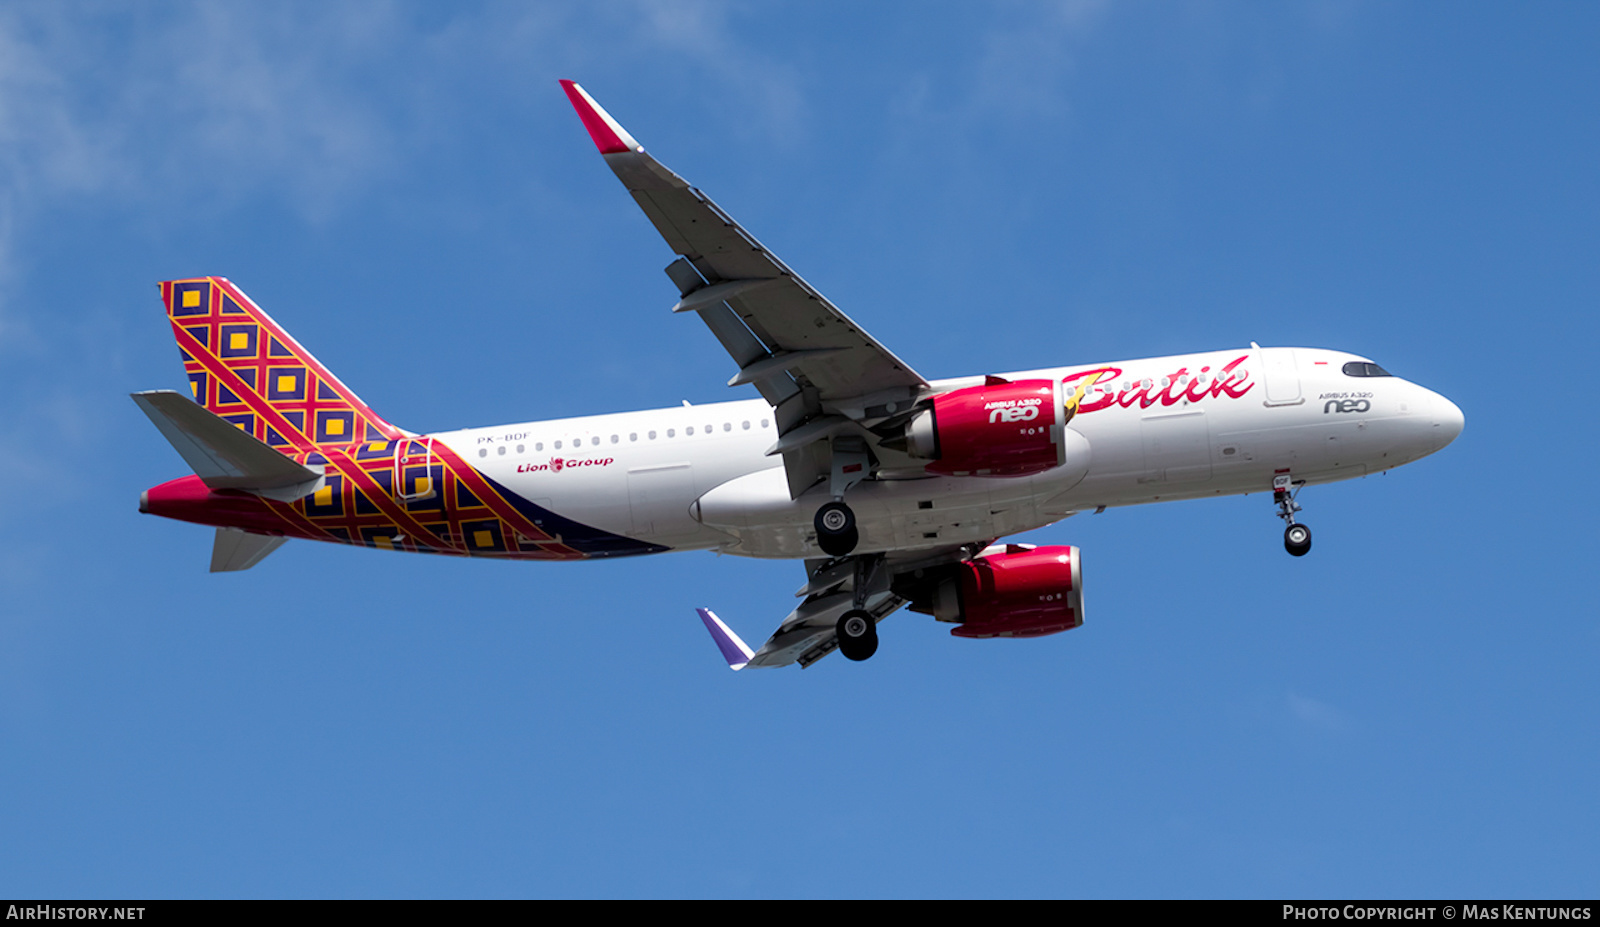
point(247, 369)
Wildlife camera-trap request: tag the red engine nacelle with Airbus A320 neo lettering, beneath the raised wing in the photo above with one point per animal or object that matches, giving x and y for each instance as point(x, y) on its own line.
point(998, 430)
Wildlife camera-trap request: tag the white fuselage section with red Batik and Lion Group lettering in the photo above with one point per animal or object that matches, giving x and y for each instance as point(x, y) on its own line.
point(1153, 430)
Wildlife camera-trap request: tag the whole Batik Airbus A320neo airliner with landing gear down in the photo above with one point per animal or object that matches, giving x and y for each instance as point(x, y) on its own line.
point(894, 489)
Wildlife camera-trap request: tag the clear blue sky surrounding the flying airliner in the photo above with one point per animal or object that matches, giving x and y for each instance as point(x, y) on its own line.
point(1409, 712)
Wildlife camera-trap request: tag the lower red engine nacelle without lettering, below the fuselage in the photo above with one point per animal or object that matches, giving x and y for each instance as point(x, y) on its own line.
point(1022, 593)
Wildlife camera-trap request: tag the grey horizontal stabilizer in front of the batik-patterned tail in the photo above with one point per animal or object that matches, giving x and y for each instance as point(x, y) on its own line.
point(222, 455)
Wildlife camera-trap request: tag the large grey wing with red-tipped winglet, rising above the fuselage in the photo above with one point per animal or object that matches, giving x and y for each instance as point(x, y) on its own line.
point(820, 371)
